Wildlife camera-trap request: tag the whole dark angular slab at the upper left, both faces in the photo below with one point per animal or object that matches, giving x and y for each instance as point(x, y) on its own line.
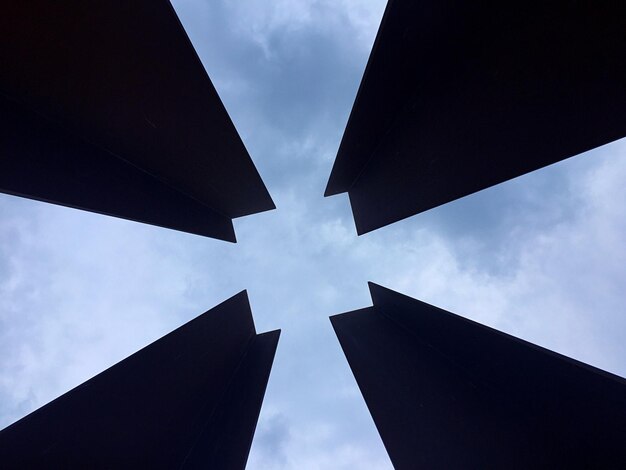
point(106, 107)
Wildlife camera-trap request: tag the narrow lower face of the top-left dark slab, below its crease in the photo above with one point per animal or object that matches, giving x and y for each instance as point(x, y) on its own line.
point(47, 163)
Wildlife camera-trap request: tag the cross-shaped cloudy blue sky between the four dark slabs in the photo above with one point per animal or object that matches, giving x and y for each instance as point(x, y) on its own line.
point(541, 257)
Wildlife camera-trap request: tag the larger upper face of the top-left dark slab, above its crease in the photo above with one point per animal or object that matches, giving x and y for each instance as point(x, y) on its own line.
point(126, 77)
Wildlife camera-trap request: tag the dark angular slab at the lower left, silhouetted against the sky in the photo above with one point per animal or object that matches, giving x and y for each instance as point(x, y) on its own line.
point(189, 400)
